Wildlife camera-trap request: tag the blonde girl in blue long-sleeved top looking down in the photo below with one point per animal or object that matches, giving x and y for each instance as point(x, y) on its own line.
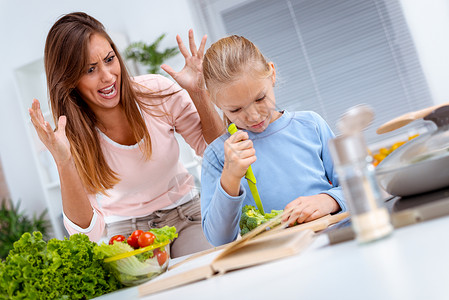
point(288, 151)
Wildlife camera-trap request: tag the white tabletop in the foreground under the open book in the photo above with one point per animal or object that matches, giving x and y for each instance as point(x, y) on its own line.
point(412, 263)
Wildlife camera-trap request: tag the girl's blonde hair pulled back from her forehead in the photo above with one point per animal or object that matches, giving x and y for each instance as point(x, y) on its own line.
point(228, 59)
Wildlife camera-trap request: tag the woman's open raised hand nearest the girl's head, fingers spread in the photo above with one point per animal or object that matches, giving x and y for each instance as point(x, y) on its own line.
point(191, 76)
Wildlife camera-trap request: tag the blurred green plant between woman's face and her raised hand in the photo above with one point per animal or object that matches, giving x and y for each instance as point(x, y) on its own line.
point(149, 55)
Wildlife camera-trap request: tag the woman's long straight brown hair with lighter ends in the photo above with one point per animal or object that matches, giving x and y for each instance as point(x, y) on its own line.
point(65, 58)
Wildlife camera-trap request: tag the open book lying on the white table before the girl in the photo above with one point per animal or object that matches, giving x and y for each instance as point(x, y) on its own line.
point(257, 247)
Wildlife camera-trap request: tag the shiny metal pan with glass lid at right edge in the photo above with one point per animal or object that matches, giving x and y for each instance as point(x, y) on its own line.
point(420, 165)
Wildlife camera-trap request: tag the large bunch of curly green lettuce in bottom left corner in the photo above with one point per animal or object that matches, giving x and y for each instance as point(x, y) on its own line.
point(59, 269)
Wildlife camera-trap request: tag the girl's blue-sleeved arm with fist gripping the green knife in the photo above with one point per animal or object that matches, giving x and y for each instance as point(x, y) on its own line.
point(222, 194)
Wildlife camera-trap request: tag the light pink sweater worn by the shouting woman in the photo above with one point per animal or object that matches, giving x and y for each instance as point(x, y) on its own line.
point(162, 181)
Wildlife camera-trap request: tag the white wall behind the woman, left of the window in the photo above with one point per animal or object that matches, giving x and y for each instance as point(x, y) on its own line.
point(23, 29)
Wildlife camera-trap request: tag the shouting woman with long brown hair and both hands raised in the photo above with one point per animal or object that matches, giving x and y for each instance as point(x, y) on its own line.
point(113, 145)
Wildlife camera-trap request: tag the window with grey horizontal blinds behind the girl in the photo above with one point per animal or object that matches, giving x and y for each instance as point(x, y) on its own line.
point(330, 54)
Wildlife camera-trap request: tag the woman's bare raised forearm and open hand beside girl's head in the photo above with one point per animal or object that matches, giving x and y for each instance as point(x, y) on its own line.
point(191, 79)
